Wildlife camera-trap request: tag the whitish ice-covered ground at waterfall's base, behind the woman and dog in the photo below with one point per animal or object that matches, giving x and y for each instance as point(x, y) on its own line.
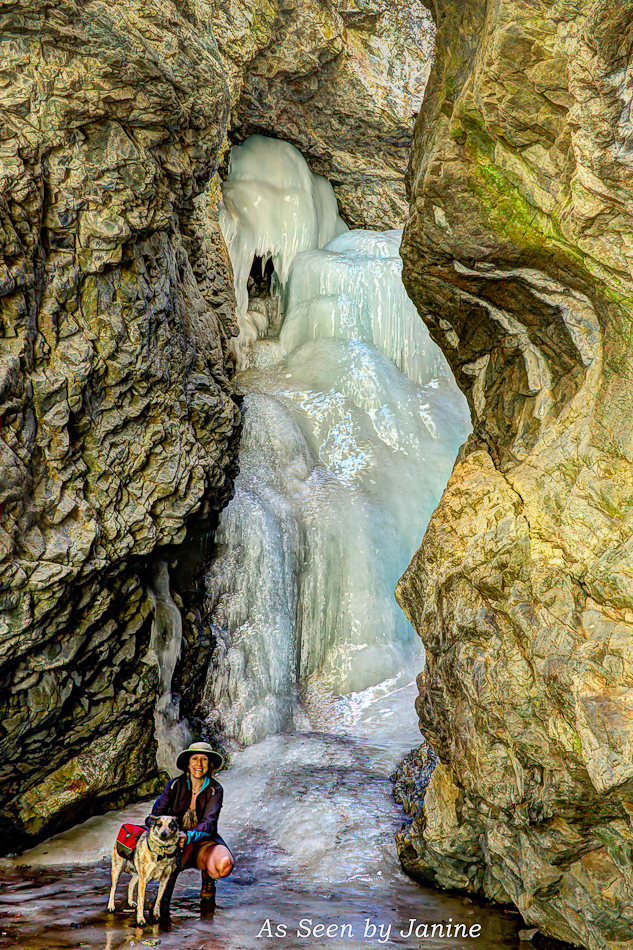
point(291, 797)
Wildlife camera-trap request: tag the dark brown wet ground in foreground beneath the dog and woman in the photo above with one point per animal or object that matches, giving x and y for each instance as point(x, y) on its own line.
point(53, 908)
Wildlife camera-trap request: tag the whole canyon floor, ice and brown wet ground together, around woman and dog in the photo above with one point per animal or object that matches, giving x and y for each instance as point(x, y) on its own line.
point(310, 818)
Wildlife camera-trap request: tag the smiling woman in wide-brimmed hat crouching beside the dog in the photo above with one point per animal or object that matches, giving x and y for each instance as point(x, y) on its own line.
point(195, 798)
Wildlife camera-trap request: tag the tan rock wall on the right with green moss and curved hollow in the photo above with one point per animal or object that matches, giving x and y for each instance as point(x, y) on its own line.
point(519, 254)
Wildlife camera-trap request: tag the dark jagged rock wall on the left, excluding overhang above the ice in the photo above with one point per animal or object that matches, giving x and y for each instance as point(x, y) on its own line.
point(117, 415)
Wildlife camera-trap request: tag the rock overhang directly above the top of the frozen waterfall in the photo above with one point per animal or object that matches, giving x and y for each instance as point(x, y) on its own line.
point(341, 80)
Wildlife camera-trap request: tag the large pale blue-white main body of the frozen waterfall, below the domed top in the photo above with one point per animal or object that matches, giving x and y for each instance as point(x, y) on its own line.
point(342, 460)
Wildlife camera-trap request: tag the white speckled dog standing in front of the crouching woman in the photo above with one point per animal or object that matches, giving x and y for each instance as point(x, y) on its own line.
point(156, 857)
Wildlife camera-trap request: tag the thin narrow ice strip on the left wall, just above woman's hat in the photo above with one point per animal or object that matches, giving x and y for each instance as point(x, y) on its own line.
point(172, 734)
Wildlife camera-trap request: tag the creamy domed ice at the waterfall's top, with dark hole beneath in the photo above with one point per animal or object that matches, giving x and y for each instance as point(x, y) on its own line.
point(273, 207)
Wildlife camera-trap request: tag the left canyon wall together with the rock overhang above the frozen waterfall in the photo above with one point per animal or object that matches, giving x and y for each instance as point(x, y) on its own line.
point(118, 418)
